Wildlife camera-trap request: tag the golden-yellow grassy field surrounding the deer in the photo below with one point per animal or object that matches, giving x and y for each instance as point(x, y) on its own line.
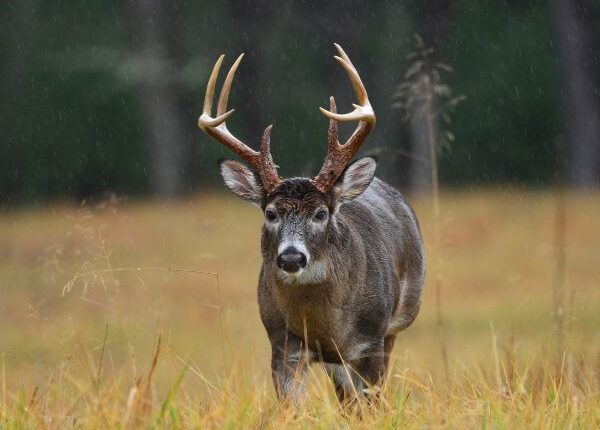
point(139, 314)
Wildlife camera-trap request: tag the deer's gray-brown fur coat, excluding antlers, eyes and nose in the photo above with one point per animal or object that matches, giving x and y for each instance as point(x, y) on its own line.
point(361, 285)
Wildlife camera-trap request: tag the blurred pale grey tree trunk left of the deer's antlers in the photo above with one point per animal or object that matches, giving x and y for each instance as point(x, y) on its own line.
point(154, 27)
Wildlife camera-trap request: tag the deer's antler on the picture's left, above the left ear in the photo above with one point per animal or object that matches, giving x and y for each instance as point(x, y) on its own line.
point(262, 161)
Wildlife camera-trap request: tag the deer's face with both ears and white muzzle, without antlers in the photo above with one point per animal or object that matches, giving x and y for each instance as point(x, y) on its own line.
point(298, 218)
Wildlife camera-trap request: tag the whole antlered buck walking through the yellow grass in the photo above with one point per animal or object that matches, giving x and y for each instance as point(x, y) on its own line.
point(343, 261)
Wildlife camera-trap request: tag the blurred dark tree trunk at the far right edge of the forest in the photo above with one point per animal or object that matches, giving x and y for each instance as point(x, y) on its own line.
point(580, 100)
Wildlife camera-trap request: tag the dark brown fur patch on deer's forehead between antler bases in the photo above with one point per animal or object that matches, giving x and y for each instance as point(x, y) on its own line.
point(298, 195)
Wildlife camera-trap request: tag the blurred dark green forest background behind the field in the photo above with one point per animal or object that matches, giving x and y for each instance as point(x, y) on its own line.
point(103, 96)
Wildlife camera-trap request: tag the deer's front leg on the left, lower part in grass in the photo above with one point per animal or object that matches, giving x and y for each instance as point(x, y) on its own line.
point(288, 366)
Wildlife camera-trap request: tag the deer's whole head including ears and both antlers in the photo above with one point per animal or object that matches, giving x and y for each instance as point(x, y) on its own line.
point(299, 213)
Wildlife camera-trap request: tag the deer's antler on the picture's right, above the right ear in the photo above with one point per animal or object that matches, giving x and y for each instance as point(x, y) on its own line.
point(338, 156)
